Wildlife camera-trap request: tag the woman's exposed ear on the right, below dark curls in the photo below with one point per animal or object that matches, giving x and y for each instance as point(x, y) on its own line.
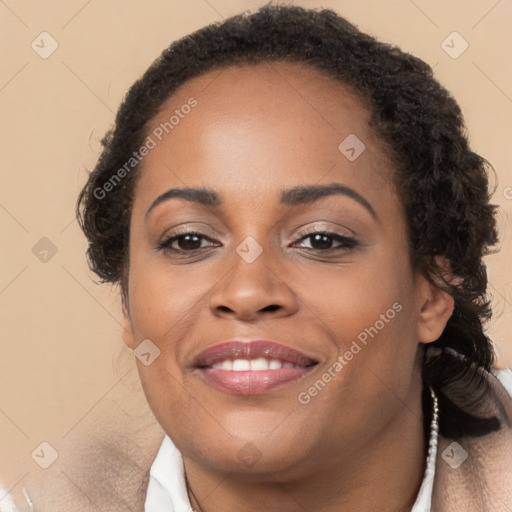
point(434, 307)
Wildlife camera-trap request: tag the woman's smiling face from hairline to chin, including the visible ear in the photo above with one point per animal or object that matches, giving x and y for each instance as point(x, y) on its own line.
point(344, 310)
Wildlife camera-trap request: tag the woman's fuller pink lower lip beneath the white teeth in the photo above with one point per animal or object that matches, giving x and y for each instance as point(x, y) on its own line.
point(252, 382)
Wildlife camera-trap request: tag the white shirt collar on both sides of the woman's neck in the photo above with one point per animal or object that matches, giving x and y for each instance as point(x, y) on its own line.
point(167, 488)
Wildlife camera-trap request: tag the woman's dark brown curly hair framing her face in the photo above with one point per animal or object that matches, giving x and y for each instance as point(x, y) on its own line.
point(442, 184)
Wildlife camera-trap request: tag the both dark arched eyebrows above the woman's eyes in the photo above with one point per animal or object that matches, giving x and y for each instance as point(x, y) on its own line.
point(299, 195)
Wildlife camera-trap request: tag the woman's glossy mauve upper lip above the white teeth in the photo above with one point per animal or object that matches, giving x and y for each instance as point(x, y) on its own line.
point(251, 349)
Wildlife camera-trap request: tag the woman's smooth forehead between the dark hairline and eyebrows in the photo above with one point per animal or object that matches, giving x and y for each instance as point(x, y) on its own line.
point(256, 127)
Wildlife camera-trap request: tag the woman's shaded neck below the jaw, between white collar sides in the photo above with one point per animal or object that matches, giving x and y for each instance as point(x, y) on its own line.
point(385, 475)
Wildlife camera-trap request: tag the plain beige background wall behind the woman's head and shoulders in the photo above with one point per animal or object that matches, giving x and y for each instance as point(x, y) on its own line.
point(62, 363)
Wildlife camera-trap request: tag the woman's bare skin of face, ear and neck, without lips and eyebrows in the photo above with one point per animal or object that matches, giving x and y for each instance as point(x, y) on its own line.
point(359, 444)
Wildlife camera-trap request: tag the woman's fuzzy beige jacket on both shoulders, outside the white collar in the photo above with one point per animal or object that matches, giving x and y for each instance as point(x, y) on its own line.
point(104, 464)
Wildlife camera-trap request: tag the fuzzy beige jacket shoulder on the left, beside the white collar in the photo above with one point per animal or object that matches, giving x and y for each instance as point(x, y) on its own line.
point(103, 464)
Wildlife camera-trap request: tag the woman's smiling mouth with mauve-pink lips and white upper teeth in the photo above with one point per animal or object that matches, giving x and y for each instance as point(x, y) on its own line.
point(252, 367)
